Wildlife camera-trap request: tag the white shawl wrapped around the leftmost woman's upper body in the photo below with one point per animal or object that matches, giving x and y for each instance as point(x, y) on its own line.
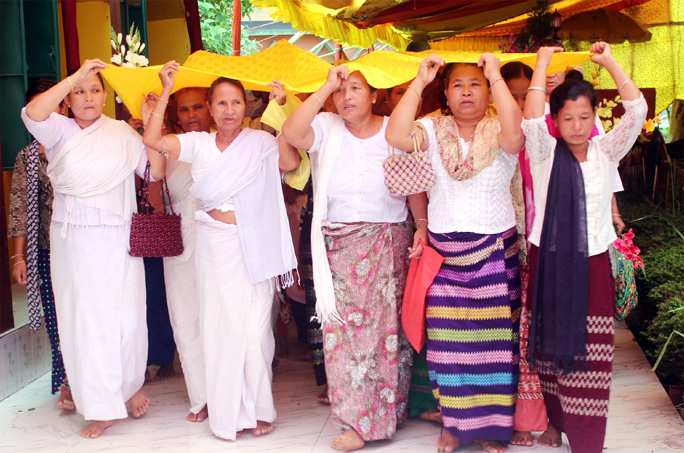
point(92, 164)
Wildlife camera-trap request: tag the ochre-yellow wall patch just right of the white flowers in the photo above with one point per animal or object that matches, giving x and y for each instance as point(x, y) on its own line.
point(168, 40)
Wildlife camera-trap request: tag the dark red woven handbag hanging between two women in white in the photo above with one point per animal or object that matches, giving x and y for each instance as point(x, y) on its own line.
point(155, 235)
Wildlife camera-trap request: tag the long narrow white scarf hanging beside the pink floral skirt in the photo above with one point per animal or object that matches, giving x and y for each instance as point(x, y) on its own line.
point(332, 127)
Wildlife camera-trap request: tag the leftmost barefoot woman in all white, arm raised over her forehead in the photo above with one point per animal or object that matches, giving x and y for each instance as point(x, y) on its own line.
point(99, 288)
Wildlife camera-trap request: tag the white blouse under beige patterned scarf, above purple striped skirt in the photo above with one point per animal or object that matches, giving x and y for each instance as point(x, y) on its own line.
point(481, 204)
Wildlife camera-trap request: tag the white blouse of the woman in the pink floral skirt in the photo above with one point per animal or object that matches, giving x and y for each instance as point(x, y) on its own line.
point(356, 191)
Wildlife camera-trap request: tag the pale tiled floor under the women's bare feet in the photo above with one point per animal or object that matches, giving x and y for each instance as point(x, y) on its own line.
point(641, 419)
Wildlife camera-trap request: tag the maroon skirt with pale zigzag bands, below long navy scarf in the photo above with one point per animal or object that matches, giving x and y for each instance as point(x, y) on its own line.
point(577, 403)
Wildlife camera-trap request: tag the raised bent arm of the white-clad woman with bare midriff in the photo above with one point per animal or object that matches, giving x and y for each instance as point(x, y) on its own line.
point(152, 138)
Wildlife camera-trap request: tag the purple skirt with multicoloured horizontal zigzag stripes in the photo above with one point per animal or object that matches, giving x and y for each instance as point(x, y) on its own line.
point(473, 313)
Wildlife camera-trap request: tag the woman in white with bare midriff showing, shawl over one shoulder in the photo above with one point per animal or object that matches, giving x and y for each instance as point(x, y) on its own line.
point(243, 244)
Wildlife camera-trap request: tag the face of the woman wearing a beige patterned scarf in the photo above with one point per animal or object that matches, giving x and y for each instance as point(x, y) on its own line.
point(467, 92)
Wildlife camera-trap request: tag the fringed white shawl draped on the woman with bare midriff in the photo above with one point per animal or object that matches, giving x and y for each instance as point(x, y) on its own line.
point(247, 171)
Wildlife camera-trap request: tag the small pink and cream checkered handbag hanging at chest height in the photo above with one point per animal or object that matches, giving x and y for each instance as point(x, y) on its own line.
point(408, 174)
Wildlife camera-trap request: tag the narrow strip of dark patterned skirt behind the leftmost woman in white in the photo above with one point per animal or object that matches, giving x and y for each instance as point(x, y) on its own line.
point(48, 299)
